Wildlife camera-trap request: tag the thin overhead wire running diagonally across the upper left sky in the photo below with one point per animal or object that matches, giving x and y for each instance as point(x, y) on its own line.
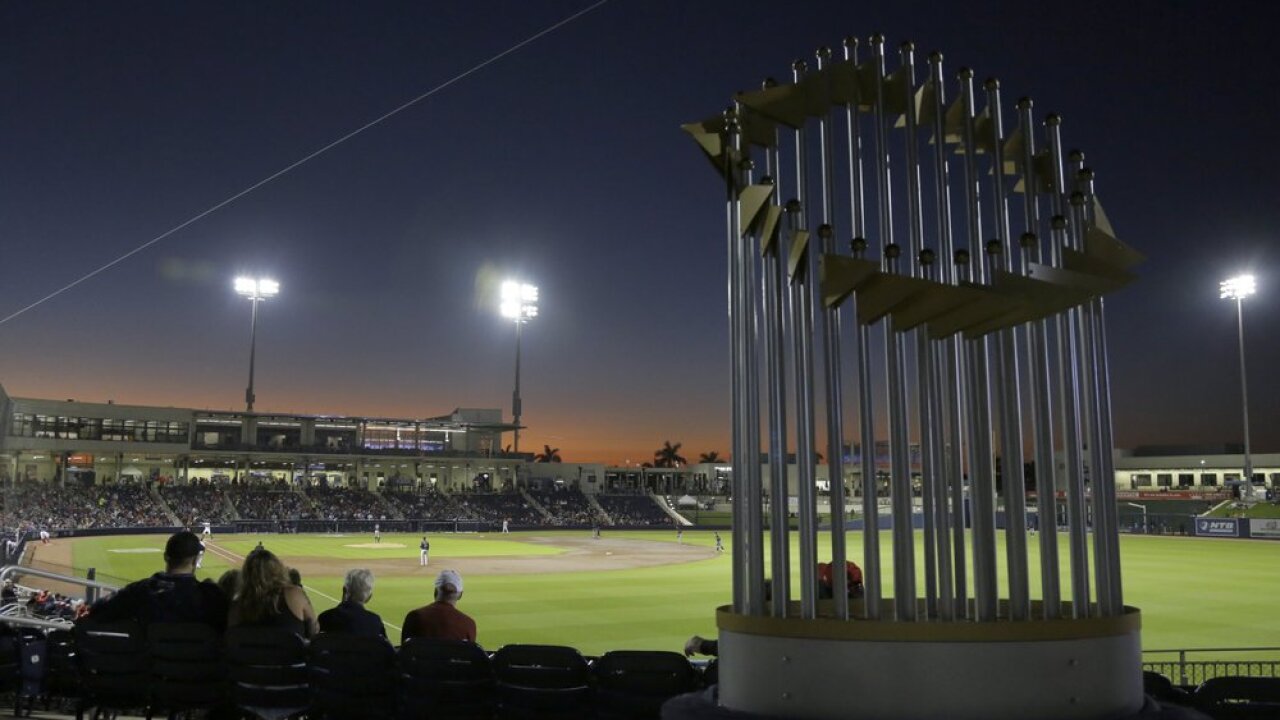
point(296, 165)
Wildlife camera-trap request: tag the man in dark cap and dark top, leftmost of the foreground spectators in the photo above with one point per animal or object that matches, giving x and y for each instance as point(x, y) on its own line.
point(173, 596)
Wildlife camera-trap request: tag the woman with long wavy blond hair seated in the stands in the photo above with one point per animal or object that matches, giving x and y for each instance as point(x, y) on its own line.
point(268, 599)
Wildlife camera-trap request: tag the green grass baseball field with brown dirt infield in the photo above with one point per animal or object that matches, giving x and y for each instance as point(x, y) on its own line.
point(644, 591)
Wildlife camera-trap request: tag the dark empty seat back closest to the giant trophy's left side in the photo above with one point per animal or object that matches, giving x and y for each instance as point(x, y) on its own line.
point(634, 685)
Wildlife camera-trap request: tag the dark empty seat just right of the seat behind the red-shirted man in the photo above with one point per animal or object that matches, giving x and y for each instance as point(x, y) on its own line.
point(542, 682)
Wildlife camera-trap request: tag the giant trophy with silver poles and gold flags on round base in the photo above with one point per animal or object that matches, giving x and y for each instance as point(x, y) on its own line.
point(971, 297)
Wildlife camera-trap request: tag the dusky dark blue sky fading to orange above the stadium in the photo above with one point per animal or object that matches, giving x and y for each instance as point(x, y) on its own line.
point(563, 165)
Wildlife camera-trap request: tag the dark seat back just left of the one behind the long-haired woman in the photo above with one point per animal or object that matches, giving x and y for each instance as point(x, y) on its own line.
point(186, 669)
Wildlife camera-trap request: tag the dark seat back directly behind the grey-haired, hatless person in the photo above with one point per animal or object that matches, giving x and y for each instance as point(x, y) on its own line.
point(351, 676)
